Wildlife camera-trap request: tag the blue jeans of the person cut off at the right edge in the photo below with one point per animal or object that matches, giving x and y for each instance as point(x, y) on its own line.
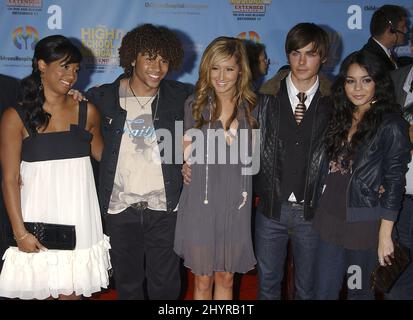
point(403, 288)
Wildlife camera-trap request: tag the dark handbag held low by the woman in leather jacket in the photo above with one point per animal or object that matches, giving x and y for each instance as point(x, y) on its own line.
point(384, 277)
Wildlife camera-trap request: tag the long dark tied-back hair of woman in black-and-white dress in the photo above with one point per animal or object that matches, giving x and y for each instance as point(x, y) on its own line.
point(48, 49)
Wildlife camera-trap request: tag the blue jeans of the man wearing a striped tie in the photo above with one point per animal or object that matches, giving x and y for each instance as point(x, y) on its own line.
point(271, 238)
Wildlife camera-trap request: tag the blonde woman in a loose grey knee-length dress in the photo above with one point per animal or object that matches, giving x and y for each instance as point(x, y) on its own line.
point(213, 230)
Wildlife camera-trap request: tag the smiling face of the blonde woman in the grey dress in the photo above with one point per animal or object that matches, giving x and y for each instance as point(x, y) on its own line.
point(224, 76)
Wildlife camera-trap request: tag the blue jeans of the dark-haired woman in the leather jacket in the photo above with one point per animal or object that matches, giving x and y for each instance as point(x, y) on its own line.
point(332, 266)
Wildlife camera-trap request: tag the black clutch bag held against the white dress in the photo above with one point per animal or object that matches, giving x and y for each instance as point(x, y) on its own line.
point(52, 236)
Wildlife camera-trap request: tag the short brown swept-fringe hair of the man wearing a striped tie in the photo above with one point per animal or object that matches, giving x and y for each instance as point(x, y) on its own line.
point(303, 34)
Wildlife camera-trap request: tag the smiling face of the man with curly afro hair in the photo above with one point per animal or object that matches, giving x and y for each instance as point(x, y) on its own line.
point(148, 73)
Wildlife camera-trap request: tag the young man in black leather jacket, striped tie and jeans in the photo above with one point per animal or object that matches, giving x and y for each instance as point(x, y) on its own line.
point(289, 135)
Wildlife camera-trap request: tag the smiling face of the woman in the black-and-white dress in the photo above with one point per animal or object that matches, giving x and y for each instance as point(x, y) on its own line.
point(58, 76)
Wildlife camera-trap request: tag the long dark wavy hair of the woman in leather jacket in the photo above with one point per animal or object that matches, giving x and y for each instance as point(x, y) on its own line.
point(383, 102)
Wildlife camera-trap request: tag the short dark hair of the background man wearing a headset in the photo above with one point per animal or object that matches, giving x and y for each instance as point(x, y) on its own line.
point(386, 16)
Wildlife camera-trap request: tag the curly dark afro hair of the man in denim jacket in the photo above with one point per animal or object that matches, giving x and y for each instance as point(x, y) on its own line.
point(152, 40)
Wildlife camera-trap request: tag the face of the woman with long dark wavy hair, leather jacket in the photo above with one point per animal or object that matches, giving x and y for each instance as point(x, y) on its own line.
point(359, 86)
